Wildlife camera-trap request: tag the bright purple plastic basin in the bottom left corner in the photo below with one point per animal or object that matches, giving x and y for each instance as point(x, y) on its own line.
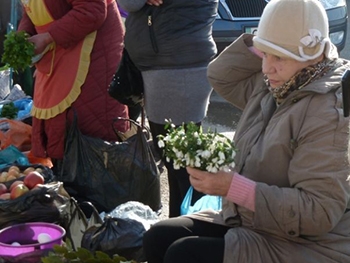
point(27, 236)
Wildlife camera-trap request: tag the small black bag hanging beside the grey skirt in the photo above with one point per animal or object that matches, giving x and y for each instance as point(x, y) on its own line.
point(127, 82)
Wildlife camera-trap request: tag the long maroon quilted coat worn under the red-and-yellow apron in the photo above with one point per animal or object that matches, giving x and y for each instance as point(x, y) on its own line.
point(74, 19)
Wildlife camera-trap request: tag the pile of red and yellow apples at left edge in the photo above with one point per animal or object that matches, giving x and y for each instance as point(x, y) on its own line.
point(14, 182)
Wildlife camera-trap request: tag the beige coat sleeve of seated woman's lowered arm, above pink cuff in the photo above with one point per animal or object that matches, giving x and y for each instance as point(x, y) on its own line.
point(319, 190)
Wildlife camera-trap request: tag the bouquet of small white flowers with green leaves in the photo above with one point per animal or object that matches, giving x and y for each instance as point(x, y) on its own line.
point(187, 145)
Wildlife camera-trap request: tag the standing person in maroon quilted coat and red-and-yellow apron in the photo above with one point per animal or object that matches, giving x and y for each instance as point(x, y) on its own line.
point(81, 42)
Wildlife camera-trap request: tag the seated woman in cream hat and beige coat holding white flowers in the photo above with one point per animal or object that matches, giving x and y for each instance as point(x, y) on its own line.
point(287, 199)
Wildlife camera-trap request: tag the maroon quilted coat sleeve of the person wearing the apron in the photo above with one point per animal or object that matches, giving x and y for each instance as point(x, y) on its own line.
point(84, 17)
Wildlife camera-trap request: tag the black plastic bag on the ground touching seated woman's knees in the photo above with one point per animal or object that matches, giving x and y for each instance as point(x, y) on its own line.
point(122, 236)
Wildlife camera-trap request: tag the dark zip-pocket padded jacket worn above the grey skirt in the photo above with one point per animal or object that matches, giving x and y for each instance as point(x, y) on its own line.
point(171, 35)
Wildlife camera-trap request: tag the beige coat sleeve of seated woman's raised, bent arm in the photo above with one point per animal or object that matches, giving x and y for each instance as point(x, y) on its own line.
point(236, 72)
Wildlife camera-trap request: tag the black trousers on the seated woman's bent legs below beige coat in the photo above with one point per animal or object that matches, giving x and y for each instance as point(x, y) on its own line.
point(184, 240)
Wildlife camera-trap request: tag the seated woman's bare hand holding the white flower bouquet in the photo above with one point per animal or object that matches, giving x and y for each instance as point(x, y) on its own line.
point(210, 183)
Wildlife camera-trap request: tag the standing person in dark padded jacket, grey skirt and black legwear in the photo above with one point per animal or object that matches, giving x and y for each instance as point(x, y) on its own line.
point(170, 41)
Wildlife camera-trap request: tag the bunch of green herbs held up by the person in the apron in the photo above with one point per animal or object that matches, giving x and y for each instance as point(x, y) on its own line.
point(18, 51)
